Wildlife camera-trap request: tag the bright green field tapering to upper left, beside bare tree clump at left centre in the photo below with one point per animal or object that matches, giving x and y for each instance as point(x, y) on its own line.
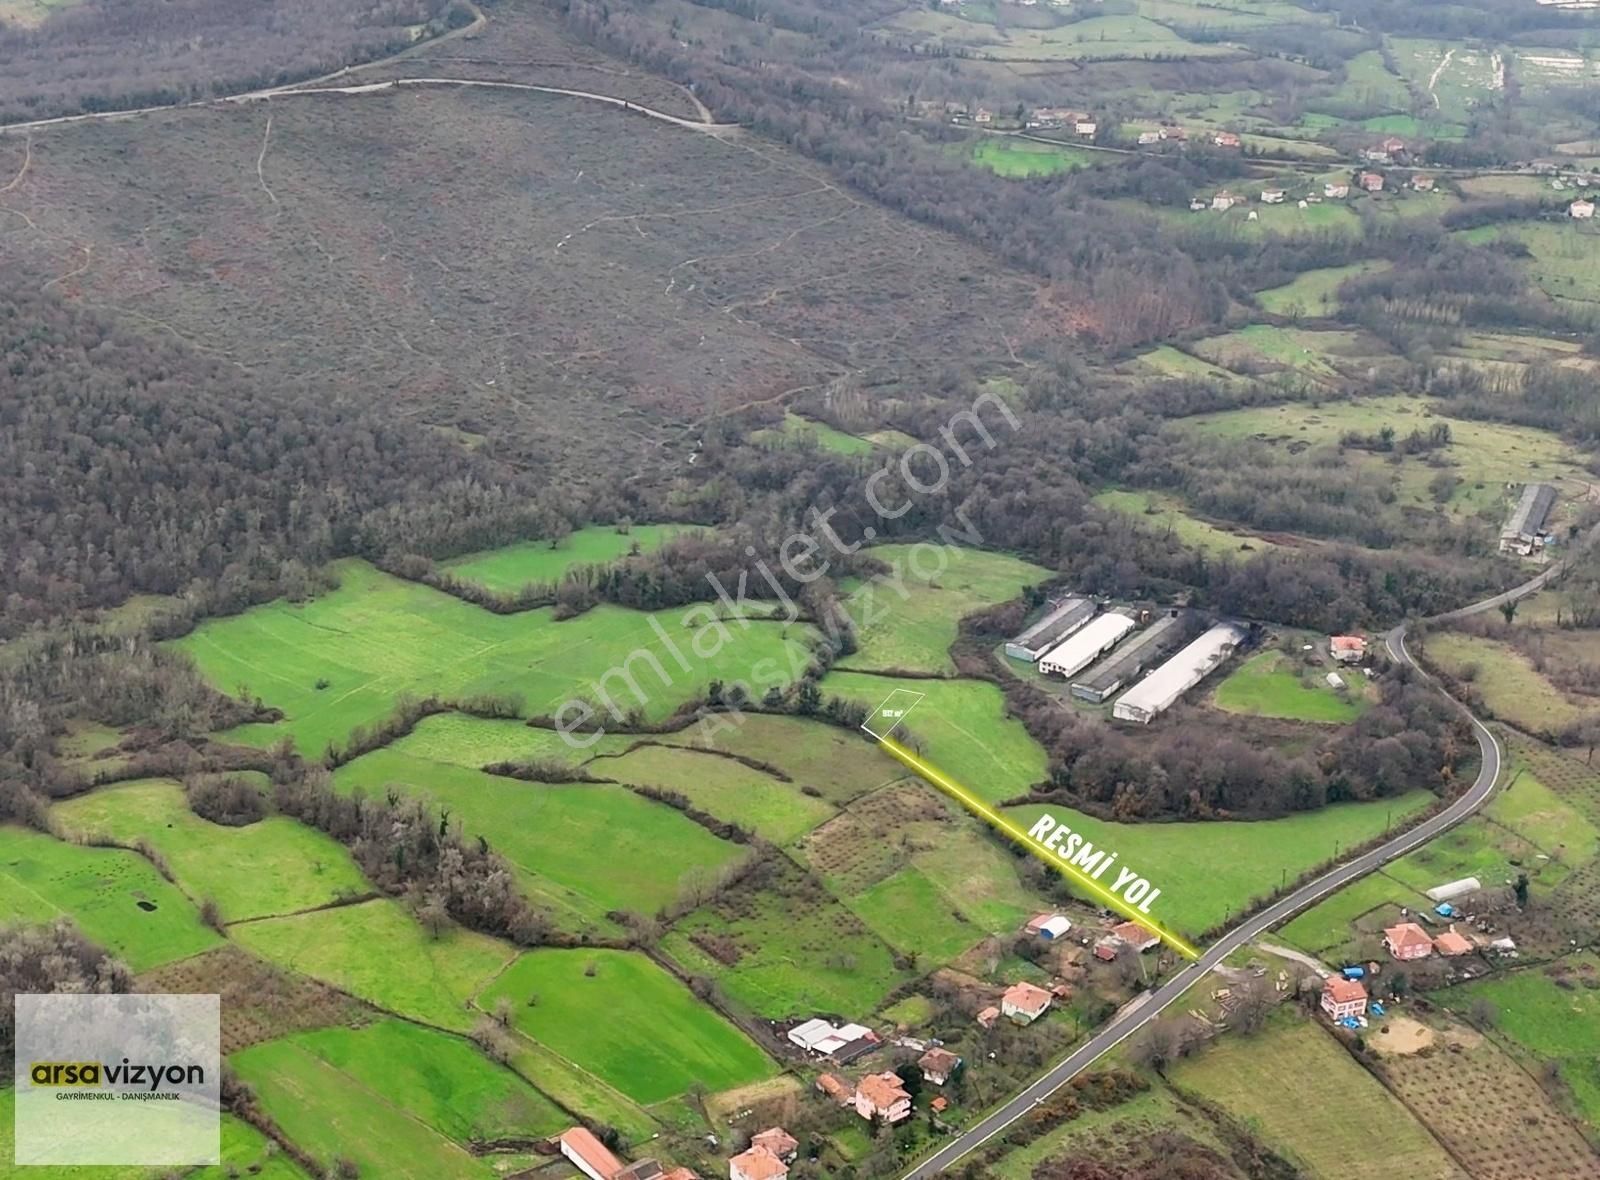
point(553, 834)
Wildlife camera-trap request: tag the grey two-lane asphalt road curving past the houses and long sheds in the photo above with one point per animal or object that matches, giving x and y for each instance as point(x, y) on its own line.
point(1153, 1005)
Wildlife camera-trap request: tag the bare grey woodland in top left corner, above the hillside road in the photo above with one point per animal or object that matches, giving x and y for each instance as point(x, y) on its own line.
point(106, 55)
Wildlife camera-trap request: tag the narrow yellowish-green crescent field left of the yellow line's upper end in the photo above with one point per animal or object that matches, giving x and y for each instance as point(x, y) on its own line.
point(724, 787)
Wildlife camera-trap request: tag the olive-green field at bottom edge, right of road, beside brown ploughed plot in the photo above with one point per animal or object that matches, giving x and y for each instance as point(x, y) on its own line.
point(1260, 1080)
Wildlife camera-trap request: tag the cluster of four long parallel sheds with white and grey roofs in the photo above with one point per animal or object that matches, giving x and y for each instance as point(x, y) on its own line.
point(1092, 650)
